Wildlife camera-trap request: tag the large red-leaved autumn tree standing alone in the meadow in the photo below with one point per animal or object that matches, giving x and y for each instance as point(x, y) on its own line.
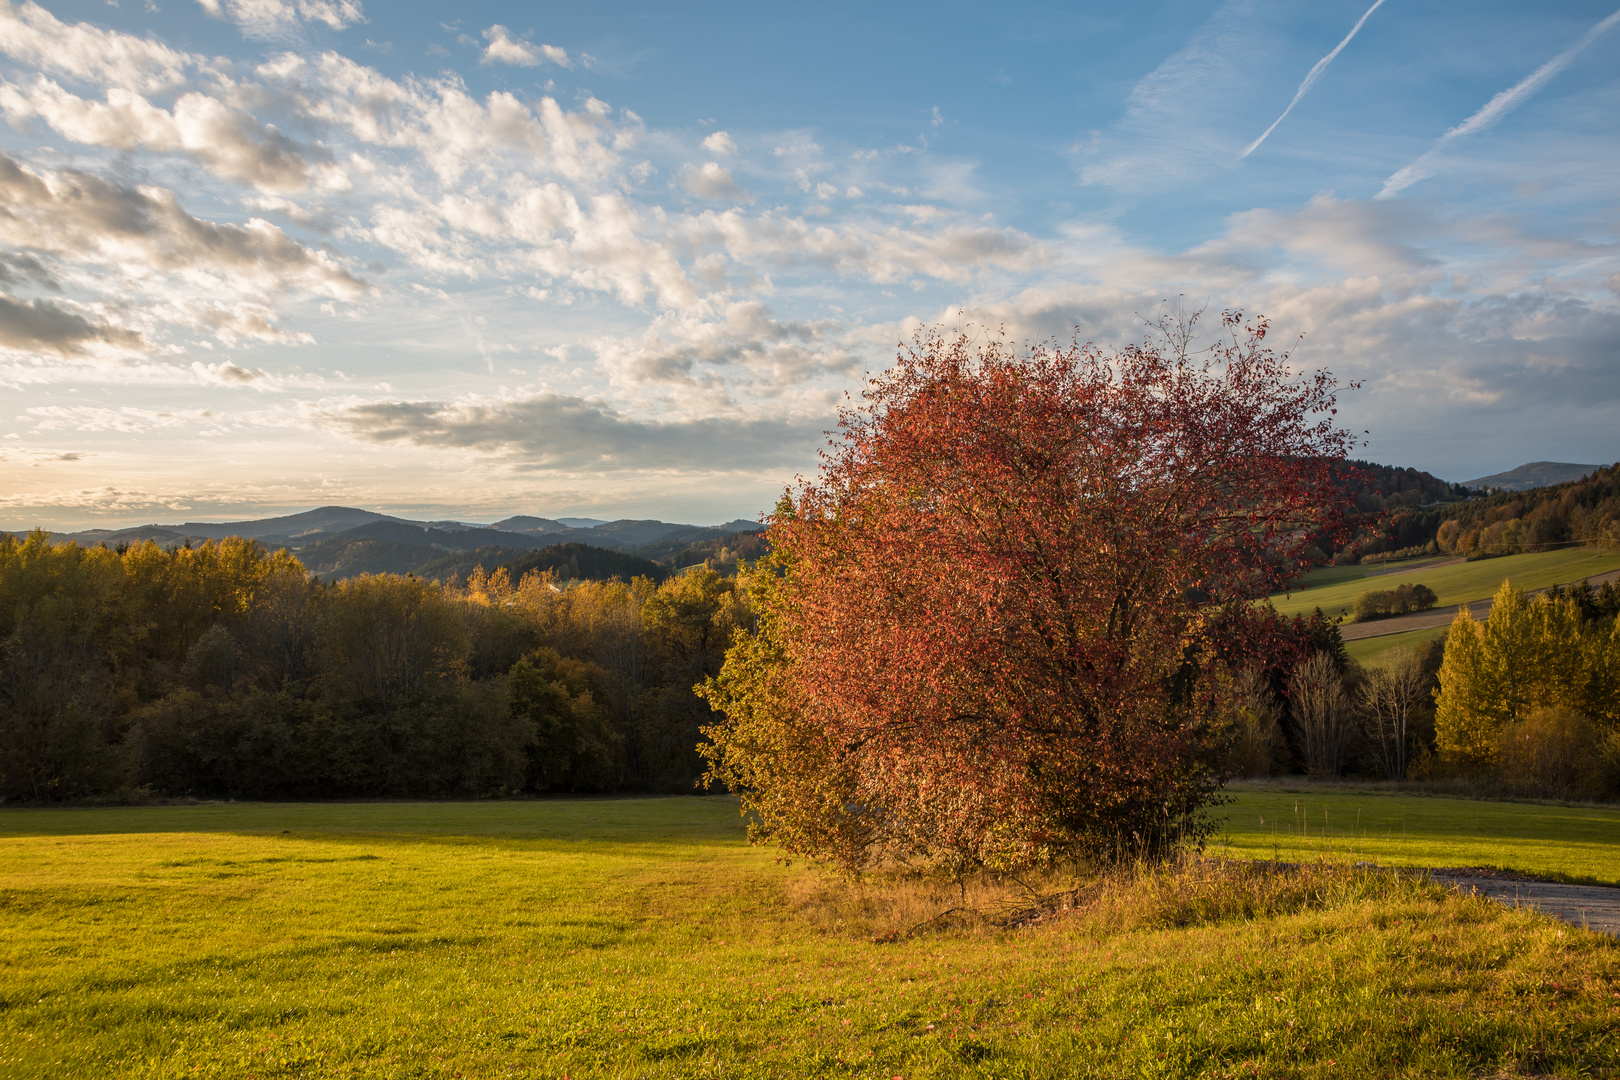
point(989, 632)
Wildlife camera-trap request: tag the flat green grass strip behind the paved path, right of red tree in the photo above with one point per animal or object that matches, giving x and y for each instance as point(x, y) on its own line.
point(1295, 822)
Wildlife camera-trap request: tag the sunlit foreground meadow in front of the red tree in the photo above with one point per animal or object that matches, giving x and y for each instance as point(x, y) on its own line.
point(644, 938)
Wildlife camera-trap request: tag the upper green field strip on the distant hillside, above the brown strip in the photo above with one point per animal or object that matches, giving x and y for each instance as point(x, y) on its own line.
point(1457, 584)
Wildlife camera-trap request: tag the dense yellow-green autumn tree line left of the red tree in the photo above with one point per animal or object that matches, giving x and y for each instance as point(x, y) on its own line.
point(229, 671)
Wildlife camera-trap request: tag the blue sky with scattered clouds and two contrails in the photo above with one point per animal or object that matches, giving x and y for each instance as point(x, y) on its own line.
point(626, 260)
